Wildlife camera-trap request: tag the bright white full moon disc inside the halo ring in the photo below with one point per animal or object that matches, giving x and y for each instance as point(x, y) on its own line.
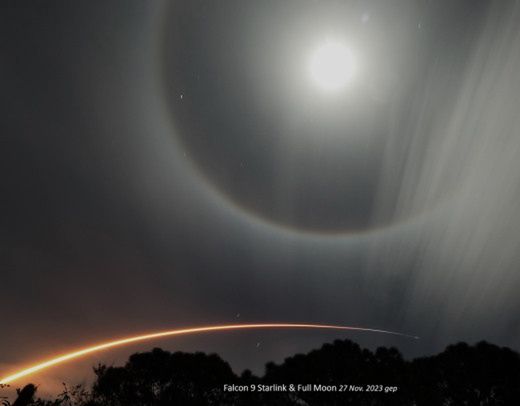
point(331, 66)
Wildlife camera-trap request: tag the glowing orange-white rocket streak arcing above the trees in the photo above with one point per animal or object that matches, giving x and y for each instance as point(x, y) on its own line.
point(206, 329)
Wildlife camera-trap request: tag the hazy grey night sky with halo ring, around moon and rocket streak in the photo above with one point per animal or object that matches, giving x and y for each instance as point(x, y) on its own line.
point(171, 164)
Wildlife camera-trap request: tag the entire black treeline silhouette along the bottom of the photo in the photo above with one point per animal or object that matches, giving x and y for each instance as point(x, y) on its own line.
point(483, 374)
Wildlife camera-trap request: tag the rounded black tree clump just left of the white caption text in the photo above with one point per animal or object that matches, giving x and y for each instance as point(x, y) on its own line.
point(161, 378)
